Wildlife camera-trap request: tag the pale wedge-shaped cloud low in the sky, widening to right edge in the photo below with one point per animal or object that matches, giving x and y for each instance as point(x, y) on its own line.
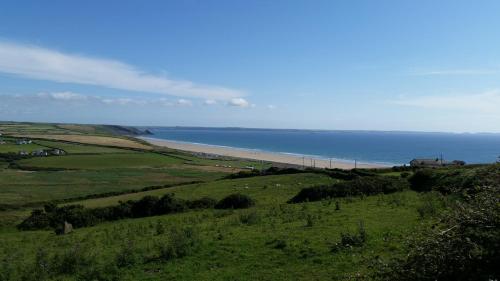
point(486, 102)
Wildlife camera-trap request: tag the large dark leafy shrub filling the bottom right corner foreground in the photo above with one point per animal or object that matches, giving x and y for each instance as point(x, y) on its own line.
point(464, 245)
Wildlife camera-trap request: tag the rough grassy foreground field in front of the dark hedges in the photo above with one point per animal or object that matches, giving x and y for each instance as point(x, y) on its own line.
point(230, 249)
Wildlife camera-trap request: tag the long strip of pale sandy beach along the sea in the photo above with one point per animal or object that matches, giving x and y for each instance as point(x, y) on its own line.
point(259, 155)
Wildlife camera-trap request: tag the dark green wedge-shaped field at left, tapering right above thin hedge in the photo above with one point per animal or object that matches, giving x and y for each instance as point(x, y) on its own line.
point(22, 188)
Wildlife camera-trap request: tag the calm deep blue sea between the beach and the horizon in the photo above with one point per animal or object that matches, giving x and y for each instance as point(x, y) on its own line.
point(364, 146)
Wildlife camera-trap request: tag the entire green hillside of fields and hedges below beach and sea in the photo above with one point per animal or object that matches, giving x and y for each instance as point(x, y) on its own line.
point(341, 225)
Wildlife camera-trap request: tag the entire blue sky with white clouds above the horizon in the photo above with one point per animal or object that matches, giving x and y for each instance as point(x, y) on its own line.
point(369, 65)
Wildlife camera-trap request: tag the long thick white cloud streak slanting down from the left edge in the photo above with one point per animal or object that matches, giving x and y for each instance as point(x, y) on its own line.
point(44, 64)
